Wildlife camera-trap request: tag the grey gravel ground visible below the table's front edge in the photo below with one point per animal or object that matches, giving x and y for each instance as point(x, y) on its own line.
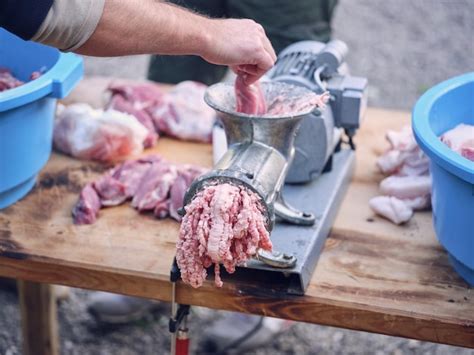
point(81, 335)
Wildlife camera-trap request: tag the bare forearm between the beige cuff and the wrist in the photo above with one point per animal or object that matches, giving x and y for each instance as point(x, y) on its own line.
point(148, 26)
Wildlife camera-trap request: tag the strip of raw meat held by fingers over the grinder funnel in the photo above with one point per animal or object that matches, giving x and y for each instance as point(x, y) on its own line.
point(249, 99)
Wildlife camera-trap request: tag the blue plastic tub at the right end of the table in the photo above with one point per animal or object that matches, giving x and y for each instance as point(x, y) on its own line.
point(441, 108)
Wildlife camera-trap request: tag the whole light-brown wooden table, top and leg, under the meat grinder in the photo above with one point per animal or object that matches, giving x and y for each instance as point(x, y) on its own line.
point(372, 275)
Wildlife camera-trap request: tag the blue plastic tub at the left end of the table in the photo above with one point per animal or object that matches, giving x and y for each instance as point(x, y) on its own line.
point(27, 112)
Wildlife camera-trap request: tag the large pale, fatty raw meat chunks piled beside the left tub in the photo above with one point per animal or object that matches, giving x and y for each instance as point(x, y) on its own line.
point(135, 116)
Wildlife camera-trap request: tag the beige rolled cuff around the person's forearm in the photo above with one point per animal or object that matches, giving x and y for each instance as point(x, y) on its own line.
point(70, 23)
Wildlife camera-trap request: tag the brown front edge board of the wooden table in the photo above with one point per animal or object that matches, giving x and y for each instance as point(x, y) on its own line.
point(298, 308)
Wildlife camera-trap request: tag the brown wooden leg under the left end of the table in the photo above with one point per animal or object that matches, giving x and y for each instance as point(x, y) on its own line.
point(39, 318)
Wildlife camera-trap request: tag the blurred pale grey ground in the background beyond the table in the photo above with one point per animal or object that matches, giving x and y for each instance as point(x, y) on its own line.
point(402, 46)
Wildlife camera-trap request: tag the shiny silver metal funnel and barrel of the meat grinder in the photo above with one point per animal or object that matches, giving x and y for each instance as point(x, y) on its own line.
point(260, 148)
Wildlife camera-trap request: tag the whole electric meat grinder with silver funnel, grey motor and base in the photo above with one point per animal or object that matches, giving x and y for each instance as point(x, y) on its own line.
point(312, 151)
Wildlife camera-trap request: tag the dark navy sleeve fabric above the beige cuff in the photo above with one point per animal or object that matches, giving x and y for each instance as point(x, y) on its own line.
point(23, 17)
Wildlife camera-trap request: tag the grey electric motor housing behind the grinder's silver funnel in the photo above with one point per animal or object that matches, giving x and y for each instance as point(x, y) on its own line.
point(320, 67)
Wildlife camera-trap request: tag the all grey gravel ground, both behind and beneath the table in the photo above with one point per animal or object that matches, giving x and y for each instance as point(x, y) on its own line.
point(403, 47)
